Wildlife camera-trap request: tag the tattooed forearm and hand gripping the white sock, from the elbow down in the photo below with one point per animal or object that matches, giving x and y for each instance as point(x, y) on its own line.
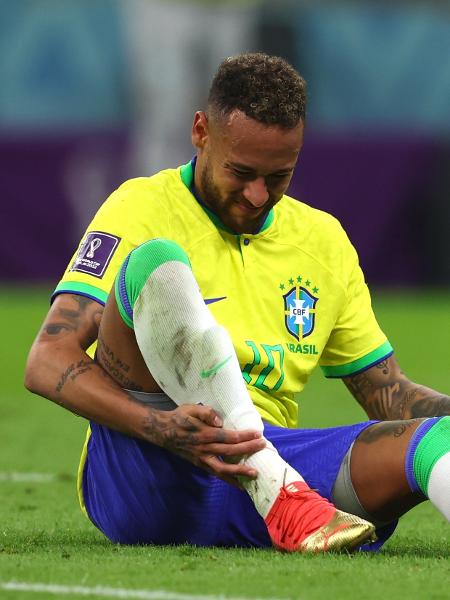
point(70, 378)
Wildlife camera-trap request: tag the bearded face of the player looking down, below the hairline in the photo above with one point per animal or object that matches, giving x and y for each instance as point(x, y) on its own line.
point(243, 167)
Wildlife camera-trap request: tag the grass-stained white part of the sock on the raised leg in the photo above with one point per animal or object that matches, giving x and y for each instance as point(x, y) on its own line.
point(193, 360)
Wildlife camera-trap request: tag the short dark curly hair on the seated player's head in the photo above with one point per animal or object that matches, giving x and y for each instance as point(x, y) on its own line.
point(265, 88)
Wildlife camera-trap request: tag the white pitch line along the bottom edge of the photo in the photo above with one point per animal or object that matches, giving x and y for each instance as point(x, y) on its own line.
point(110, 592)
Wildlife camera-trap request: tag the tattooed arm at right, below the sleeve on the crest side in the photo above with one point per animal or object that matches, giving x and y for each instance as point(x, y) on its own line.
point(387, 394)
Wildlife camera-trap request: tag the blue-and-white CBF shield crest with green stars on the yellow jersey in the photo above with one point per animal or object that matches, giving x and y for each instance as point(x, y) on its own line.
point(300, 308)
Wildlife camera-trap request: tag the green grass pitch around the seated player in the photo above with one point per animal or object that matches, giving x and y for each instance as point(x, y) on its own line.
point(45, 539)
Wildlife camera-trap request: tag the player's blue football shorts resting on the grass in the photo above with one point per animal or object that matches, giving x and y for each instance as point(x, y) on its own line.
point(138, 493)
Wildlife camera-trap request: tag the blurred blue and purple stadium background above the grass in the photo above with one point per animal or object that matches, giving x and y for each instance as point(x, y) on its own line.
point(95, 91)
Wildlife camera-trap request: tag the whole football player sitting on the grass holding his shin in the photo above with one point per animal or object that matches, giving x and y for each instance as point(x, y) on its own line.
point(221, 295)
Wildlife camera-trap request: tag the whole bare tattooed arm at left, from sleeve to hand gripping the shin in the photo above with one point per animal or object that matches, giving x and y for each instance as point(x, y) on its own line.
point(58, 368)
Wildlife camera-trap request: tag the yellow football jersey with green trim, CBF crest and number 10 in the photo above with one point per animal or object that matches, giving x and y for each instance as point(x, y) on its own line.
point(291, 296)
